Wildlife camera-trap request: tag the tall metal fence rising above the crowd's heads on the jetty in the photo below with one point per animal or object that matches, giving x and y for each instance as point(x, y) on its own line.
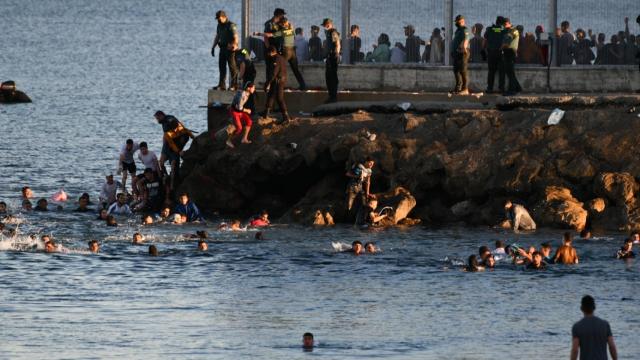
point(390, 17)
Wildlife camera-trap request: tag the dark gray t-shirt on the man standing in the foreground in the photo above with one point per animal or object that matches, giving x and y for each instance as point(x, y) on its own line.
point(593, 334)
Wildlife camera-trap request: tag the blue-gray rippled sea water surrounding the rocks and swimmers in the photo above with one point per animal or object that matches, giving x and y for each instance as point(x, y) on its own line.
point(97, 71)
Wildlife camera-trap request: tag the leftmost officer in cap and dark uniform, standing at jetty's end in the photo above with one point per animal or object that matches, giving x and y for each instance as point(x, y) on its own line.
point(227, 40)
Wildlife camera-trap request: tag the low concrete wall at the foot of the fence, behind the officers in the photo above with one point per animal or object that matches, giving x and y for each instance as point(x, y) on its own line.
point(419, 77)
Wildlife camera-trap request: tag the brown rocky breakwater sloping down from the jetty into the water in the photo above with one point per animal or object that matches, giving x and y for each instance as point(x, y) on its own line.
point(437, 163)
